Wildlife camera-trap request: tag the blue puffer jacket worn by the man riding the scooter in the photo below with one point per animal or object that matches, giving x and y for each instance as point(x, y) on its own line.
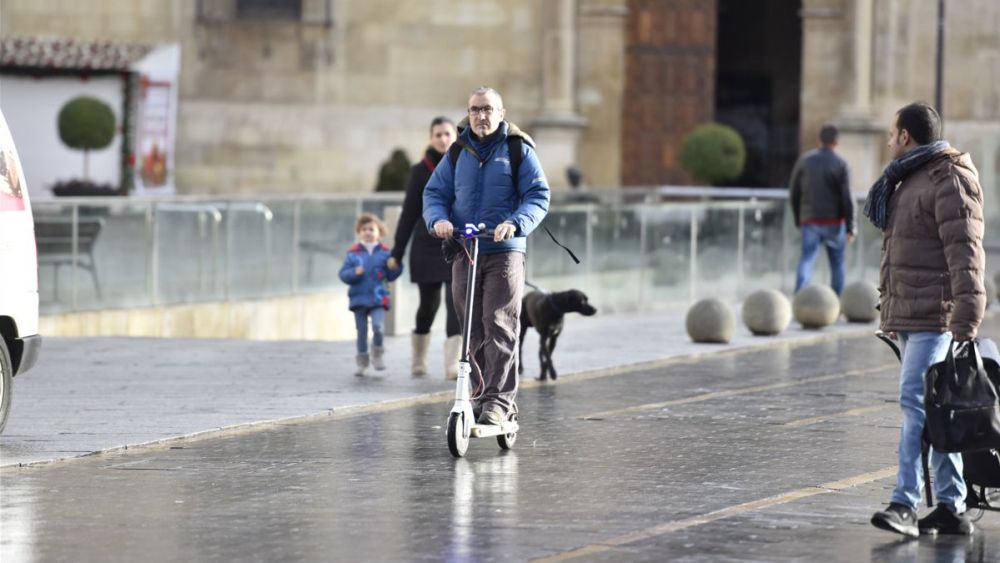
point(481, 190)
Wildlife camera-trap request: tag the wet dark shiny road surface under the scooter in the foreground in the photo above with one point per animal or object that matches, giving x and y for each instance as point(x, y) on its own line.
point(771, 454)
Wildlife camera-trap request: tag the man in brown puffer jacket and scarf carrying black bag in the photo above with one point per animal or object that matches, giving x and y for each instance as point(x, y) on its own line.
point(929, 206)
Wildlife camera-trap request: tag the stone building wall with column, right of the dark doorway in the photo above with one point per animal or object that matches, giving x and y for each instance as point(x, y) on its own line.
point(864, 59)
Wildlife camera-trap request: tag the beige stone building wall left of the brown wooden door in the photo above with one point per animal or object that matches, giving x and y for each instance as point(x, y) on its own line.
point(314, 96)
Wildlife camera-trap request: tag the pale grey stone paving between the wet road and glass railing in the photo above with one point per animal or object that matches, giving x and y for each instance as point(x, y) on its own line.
point(89, 395)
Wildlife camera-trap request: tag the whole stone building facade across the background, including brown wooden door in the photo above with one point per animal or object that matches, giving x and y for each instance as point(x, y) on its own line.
point(312, 95)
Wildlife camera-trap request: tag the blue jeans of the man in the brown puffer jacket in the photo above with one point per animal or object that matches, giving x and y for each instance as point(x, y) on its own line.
point(920, 351)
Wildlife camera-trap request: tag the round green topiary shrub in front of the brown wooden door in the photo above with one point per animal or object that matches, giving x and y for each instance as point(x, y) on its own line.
point(713, 153)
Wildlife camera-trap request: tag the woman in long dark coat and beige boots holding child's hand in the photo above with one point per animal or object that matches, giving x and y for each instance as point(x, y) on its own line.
point(427, 266)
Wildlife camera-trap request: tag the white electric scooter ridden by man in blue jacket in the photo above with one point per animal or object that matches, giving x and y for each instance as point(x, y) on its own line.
point(462, 425)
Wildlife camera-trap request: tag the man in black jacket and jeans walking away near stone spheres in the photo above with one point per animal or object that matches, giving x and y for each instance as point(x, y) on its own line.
point(823, 208)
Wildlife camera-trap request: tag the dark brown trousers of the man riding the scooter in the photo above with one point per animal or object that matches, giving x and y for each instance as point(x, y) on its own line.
point(496, 322)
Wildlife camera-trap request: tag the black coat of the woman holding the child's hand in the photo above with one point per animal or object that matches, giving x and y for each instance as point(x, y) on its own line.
point(426, 260)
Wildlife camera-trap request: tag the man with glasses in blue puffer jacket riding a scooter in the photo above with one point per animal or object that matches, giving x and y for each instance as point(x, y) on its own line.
point(479, 188)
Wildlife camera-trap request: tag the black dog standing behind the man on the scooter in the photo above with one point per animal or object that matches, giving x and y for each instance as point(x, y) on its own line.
point(545, 312)
